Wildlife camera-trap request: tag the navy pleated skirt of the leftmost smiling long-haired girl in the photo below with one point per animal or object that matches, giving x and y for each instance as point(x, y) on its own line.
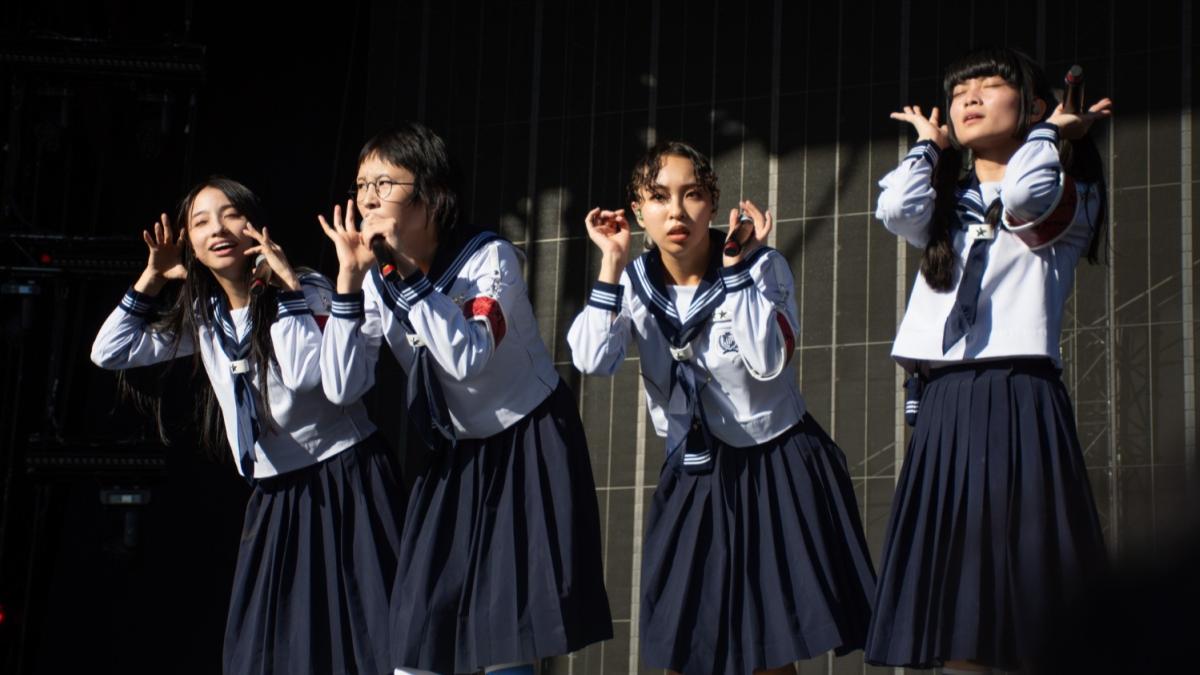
point(316, 568)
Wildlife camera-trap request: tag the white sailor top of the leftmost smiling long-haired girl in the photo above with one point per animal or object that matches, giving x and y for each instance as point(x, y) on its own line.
point(308, 428)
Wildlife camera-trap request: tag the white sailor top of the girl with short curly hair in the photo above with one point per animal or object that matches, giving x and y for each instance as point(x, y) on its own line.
point(747, 383)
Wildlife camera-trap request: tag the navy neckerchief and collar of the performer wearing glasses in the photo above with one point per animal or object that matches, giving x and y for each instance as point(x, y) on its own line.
point(427, 403)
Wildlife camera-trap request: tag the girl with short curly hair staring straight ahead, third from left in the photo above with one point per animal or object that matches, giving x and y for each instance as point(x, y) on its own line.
point(754, 553)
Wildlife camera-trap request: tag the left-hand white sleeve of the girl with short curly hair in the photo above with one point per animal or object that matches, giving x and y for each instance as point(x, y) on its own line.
point(601, 333)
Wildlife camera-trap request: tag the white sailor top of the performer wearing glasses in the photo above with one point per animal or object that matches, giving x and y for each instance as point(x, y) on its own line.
point(475, 318)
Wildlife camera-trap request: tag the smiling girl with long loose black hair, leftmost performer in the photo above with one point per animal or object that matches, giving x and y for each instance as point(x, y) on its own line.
point(319, 548)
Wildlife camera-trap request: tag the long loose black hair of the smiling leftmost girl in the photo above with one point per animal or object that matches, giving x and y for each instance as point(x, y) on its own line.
point(191, 308)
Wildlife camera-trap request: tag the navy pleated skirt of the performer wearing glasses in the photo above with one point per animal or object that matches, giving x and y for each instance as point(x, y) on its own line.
point(501, 558)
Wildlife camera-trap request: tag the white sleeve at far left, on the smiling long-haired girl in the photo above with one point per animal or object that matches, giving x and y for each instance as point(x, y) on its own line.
point(125, 339)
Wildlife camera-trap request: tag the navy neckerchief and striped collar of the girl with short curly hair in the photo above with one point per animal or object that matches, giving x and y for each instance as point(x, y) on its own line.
point(649, 282)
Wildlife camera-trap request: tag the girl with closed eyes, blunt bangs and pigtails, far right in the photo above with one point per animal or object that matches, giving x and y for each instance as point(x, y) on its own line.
point(993, 524)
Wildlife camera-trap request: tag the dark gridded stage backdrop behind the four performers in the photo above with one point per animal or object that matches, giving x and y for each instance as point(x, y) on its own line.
point(547, 105)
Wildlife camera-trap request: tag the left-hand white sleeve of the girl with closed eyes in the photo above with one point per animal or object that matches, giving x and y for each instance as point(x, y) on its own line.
point(907, 204)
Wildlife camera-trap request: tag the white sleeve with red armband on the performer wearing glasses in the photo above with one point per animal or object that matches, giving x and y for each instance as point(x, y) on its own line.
point(464, 339)
